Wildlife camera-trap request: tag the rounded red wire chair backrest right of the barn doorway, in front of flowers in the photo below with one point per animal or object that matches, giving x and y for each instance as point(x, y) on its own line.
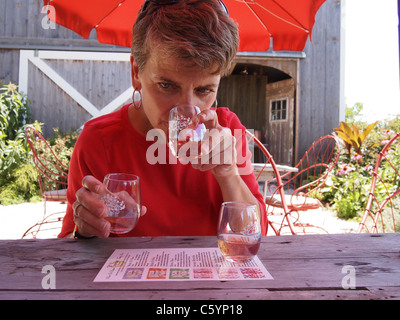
point(313, 168)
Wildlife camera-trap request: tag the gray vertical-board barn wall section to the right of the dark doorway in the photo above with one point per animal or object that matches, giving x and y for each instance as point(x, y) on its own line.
point(319, 78)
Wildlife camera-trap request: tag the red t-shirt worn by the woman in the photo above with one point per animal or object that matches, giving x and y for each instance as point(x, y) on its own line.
point(180, 200)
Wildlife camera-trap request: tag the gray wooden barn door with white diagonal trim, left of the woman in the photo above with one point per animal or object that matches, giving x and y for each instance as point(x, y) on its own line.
point(59, 84)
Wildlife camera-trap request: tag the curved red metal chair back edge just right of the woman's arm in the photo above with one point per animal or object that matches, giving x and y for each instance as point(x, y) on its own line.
point(278, 185)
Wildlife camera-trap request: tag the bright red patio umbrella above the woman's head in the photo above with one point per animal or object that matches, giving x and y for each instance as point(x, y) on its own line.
point(287, 22)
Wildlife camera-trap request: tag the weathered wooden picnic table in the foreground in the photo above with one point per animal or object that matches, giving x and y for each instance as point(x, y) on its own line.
point(303, 267)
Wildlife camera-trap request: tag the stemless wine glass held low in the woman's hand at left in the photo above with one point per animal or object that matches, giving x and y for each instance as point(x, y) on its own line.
point(123, 198)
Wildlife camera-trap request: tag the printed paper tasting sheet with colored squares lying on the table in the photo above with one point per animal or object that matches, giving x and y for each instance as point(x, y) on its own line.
point(173, 264)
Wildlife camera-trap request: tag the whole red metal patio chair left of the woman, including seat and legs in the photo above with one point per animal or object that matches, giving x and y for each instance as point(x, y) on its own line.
point(52, 176)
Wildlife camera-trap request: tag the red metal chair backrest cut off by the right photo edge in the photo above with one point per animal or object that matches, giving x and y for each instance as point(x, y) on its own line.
point(383, 204)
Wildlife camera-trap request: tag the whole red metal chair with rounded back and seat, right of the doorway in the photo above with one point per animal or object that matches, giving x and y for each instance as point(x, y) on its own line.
point(299, 187)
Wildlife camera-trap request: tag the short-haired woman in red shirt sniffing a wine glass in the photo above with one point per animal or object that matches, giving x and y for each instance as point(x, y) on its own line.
point(180, 51)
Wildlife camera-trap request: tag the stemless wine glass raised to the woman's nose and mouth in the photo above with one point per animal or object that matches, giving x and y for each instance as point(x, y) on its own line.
point(185, 132)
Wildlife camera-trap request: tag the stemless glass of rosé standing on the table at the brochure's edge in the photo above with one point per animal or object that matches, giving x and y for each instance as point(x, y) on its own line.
point(239, 231)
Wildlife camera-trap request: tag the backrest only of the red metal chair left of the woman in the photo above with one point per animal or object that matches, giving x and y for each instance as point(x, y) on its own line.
point(52, 173)
